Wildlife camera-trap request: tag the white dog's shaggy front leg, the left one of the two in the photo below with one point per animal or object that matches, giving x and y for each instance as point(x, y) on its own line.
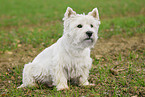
point(60, 80)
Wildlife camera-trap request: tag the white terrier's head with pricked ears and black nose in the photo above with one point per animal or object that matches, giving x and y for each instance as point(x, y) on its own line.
point(80, 29)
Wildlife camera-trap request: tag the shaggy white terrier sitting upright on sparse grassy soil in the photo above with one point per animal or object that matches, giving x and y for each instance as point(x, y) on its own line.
point(69, 58)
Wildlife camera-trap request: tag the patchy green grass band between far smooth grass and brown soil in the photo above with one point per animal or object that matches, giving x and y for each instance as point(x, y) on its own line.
point(47, 35)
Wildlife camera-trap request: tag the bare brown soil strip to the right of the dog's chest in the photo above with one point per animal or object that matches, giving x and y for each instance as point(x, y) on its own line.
point(119, 43)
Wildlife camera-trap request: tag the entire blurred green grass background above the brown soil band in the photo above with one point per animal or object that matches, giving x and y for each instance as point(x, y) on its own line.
point(21, 21)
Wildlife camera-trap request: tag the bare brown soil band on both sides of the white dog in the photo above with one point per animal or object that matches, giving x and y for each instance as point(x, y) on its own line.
point(103, 48)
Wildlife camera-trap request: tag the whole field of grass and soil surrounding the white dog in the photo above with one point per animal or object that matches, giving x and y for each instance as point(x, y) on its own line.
point(118, 69)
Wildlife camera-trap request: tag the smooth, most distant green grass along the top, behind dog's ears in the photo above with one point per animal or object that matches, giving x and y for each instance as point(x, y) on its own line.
point(17, 13)
